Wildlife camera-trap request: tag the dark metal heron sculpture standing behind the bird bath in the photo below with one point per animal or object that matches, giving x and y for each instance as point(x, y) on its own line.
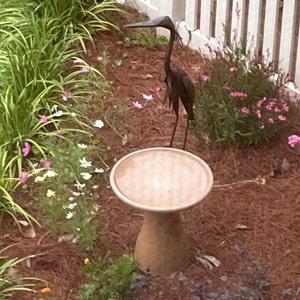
point(179, 85)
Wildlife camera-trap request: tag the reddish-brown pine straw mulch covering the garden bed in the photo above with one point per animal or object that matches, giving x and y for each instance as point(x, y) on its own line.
point(252, 228)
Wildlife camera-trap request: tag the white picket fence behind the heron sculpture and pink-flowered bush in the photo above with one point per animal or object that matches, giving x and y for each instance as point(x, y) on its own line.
point(271, 27)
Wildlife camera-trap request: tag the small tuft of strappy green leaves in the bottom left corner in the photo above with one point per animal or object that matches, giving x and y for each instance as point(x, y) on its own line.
point(10, 281)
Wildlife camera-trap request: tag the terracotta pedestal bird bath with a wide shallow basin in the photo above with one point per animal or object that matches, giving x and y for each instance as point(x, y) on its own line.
point(161, 182)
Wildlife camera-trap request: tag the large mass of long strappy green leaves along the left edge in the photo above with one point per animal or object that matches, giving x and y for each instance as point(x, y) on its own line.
point(38, 47)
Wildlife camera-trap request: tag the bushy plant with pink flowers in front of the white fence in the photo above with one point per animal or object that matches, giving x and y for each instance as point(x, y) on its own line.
point(241, 99)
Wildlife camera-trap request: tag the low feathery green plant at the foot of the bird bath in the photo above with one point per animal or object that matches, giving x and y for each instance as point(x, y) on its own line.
point(108, 281)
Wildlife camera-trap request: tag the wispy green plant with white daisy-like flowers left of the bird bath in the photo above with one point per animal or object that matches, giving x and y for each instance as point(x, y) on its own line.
point(67, 192)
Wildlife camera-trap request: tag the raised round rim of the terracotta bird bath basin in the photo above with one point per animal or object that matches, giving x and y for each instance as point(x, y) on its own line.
point(150, 208)
